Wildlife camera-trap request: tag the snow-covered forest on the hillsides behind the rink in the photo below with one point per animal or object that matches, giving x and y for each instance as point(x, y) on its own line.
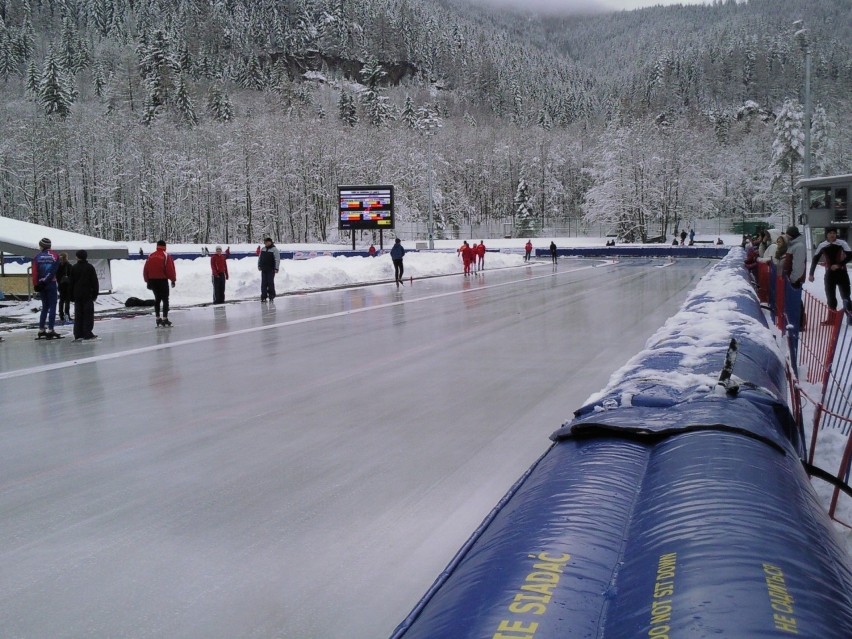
point(223, 120)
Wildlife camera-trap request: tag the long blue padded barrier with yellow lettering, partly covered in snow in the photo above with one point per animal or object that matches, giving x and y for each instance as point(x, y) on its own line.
point(672, 505)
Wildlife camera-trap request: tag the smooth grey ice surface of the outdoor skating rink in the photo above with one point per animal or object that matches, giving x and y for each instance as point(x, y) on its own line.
point(303, 469)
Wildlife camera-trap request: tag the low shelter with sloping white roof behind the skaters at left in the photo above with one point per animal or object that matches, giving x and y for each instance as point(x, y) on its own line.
point(19, 241)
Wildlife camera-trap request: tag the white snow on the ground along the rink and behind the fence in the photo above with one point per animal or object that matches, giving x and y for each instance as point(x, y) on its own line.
point(302, 275)
